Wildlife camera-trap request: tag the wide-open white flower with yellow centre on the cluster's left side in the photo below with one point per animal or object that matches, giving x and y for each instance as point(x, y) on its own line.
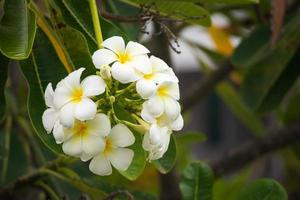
point(72, 97)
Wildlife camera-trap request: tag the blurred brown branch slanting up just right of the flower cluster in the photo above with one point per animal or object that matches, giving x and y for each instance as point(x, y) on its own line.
point(205, 86)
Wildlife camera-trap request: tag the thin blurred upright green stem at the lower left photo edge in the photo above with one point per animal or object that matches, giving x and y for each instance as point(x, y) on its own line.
point(7, 133)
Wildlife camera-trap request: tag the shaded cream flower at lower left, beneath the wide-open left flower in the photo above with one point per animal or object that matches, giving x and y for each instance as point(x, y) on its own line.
point(85, 139)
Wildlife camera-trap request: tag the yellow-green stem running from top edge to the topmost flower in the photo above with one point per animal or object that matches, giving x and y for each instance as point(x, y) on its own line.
point(96, 22)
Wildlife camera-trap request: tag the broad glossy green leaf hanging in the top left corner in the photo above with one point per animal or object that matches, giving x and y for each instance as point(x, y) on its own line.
point(17, 30)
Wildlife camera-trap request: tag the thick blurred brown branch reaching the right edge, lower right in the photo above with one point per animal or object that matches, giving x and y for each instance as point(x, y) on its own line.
point(238, 157)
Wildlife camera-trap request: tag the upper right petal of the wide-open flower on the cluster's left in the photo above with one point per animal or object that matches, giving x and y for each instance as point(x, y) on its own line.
point(93, 85)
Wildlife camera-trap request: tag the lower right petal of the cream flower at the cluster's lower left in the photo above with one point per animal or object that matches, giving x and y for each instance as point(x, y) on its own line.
point(92, 145)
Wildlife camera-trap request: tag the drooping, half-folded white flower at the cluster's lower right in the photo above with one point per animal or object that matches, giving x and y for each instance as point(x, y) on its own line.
point(156, 141)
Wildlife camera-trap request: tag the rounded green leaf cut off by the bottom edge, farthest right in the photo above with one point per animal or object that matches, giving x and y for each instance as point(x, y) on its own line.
point(266, 189)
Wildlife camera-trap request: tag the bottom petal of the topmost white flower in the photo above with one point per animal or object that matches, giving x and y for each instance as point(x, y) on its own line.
point(123, 73)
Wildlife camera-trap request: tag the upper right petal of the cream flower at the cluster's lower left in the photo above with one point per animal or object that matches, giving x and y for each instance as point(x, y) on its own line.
point(100, 125)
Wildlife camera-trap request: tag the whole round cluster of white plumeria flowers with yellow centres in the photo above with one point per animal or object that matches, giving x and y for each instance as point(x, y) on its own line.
point(82, 114)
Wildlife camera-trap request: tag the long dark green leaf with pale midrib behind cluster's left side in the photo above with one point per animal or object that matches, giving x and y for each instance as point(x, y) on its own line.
point(42, 67)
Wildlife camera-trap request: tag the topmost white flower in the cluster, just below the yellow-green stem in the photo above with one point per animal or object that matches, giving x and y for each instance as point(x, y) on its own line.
point(129, 63)
